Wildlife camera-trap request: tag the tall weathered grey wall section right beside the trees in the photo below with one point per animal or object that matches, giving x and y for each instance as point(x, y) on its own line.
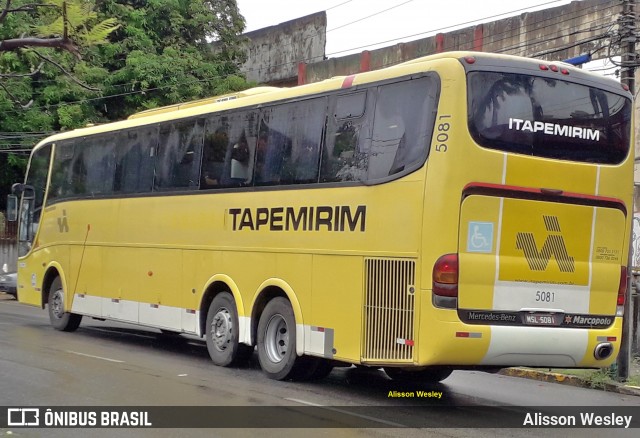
point(275, 52)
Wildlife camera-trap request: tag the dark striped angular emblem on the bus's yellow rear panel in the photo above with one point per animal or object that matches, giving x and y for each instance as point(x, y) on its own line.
point(553, 245)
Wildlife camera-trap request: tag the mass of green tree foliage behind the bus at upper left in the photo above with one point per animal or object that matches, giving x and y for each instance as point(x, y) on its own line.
point(128, 56)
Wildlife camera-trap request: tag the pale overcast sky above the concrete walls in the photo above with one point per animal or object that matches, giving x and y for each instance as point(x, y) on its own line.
point(357, 25)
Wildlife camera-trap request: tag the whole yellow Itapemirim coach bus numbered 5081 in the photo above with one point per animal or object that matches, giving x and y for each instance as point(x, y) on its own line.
point(458, 211)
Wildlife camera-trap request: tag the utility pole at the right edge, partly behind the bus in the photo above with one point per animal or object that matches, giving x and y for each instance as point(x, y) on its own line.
point(627, 35)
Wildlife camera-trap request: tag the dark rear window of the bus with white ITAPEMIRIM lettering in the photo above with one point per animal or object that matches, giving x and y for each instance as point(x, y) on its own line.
point(548, 118)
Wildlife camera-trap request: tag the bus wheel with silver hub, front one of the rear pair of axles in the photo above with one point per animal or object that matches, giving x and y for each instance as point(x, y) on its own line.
point(222, 332)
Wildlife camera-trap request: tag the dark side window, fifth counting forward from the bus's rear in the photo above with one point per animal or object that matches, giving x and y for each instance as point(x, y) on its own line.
point(178, 160)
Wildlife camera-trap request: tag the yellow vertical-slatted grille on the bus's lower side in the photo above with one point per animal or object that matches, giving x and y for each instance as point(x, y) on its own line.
point(388, 310)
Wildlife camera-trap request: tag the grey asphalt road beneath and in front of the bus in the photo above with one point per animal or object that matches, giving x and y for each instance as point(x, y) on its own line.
point(111, 364)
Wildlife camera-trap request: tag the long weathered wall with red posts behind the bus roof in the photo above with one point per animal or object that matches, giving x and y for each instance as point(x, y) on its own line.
point(549, 34)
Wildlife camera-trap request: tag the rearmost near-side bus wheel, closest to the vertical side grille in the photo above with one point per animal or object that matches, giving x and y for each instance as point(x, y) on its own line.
point(277, 342)
